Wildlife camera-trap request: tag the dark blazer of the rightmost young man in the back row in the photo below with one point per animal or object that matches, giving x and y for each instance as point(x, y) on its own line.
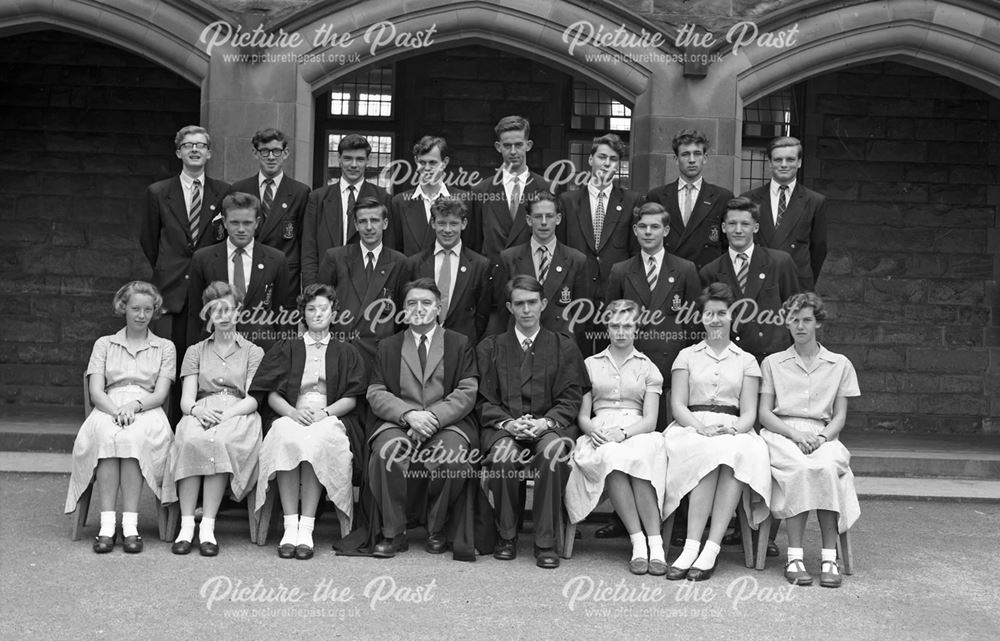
point(802, 233)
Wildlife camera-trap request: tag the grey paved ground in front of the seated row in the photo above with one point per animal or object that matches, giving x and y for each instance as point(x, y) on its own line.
point(924, 570)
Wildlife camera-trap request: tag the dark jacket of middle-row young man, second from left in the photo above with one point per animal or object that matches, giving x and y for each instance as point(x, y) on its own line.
point(343, 268)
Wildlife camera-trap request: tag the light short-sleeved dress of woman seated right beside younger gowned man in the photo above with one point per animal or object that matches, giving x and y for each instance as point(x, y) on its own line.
point(618, 398)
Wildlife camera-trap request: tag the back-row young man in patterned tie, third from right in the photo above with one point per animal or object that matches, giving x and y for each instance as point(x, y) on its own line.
point(597, 221)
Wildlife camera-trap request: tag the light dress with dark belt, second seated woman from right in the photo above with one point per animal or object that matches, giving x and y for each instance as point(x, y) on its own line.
point(716, 380)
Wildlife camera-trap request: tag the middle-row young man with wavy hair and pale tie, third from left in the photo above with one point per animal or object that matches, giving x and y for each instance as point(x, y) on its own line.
point(461, 274)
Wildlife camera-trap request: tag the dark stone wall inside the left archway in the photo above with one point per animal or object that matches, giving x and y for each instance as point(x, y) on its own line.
point(84, 128)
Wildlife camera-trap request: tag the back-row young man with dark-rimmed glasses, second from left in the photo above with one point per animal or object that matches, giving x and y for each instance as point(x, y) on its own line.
point(282, 200)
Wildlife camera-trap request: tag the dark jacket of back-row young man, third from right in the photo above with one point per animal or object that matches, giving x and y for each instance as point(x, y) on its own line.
point(618, 242)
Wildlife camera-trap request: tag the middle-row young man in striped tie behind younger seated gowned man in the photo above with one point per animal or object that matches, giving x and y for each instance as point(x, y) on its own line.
point(560, 269)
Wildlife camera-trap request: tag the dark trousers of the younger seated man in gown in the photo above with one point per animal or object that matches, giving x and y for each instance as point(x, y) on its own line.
point(549, 462)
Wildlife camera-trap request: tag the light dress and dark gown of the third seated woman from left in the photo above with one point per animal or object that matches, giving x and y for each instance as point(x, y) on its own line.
point(325, 444)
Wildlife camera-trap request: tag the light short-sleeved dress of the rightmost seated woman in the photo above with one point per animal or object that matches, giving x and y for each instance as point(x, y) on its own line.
point(804, 399)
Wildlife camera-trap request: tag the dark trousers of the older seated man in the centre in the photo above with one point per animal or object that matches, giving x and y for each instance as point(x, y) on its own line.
point(429, 488)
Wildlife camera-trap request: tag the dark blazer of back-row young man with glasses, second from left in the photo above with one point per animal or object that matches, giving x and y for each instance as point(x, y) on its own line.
point(283, 227)
